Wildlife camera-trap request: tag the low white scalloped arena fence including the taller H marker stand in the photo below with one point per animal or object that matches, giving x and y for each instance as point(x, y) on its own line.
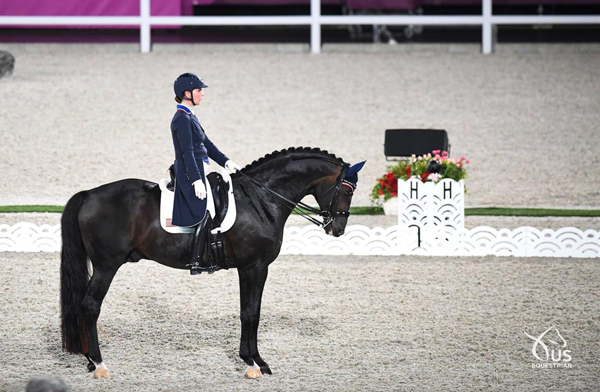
point(430, 223)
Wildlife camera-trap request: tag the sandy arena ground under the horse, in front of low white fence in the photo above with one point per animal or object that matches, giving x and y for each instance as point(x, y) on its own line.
point(328, 323)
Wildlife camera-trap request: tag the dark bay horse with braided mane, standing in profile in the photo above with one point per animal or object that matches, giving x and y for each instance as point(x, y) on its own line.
point(119, 222)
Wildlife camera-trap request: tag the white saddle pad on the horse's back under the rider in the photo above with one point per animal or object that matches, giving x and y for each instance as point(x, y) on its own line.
point(167, 198)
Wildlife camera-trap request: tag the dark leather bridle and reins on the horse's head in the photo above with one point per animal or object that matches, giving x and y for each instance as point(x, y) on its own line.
point(304, 210)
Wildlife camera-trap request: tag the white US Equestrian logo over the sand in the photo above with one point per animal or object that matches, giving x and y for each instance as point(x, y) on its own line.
point(550, 353)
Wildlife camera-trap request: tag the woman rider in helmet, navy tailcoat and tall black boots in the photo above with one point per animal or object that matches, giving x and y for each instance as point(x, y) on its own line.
point(192, 150)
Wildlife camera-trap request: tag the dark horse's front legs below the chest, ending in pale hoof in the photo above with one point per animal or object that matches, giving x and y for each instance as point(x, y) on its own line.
point(252, 282)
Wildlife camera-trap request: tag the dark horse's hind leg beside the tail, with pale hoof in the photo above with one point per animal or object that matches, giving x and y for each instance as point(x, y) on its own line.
point(92, 302)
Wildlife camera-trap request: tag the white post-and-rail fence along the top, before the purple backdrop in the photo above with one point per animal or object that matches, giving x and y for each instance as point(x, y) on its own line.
point(315, 20)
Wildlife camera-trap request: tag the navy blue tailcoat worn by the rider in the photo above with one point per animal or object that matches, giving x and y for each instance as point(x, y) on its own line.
point(192, 147)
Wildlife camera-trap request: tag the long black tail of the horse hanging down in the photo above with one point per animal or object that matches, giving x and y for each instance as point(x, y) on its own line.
point(74, 277)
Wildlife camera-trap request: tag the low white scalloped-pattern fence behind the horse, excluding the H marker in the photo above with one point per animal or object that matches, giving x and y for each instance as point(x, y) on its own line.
point(361, 240)
